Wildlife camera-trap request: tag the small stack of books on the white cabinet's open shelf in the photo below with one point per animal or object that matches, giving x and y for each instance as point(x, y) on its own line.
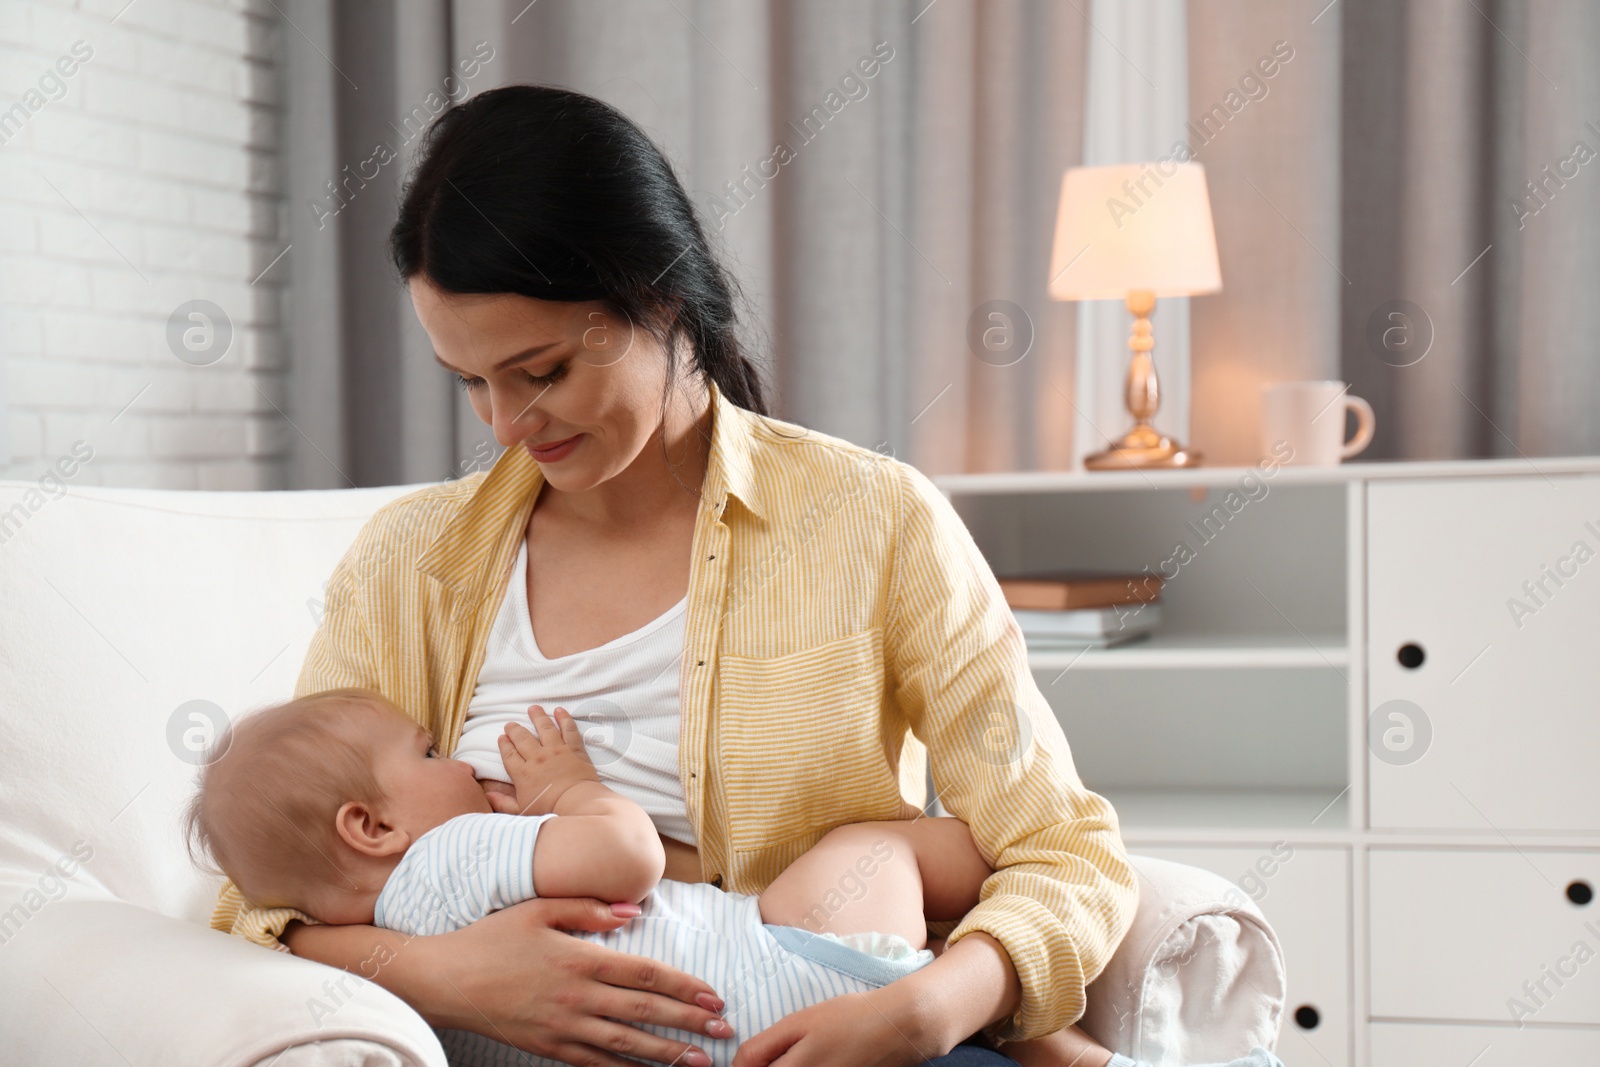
point(1071, 612)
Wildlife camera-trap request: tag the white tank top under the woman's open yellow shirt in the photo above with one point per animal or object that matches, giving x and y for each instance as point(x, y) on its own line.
point(623, 693)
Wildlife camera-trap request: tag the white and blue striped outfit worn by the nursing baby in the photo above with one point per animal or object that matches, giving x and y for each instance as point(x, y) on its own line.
point(476, 865)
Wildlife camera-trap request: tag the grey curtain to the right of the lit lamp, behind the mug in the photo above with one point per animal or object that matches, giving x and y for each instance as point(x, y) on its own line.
point(1377, 222)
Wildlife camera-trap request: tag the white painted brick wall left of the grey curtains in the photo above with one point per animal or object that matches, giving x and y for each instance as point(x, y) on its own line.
point(148, 178)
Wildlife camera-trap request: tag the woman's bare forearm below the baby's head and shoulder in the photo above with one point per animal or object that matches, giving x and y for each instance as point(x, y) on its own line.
point(398, 962)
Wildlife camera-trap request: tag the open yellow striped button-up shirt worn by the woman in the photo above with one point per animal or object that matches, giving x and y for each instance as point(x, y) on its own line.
point(842, 625)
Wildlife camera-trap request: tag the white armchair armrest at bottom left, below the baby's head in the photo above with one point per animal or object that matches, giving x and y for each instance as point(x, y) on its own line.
point(113, 983)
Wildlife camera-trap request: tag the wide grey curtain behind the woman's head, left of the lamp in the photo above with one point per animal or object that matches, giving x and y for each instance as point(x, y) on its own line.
point(913, 209)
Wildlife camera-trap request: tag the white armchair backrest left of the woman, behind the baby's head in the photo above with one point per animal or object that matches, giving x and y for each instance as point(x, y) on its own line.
point(116, 609)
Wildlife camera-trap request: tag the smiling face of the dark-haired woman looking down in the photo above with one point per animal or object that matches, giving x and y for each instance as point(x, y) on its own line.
point(574, 385)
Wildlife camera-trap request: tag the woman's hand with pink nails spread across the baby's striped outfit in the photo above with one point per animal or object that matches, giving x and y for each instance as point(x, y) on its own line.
point(514, 977)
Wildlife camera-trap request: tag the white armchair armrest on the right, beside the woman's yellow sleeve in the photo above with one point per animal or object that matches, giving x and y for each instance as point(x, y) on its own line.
point(1198, 980)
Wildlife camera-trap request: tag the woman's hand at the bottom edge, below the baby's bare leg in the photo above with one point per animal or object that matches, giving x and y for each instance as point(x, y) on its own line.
point(874, 1029)
